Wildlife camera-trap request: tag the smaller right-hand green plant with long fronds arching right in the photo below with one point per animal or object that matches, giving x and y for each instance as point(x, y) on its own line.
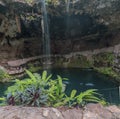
point(83, 98)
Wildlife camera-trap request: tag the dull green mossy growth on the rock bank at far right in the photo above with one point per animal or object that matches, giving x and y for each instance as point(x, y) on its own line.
point(103, 63)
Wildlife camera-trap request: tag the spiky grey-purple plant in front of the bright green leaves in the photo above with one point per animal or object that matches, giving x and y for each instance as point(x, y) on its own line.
point(32, 96)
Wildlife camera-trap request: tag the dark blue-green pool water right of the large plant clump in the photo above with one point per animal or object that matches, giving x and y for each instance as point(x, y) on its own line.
point(82, 80)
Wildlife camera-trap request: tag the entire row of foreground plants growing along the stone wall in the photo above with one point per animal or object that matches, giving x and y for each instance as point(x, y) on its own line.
point(41, 90)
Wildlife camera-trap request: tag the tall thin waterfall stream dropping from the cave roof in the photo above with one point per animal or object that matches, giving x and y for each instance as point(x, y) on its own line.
point(45, 36)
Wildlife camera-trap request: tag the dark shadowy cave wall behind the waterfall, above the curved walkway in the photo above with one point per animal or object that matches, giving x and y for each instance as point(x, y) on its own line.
point(89, 25)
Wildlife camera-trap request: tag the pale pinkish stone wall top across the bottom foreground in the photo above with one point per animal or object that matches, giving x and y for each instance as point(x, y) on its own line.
point(91, 111)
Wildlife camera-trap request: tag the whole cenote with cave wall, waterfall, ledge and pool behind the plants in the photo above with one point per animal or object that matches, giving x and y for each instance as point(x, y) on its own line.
point(62, 33)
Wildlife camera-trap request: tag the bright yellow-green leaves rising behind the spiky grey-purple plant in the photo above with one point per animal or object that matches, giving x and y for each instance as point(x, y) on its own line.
point(34, 80)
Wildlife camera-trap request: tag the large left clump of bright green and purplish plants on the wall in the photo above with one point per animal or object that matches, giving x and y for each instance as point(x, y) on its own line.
point(36, 90)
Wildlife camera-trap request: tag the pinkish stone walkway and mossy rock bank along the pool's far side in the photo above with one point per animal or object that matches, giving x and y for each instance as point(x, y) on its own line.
point(99, 58)
